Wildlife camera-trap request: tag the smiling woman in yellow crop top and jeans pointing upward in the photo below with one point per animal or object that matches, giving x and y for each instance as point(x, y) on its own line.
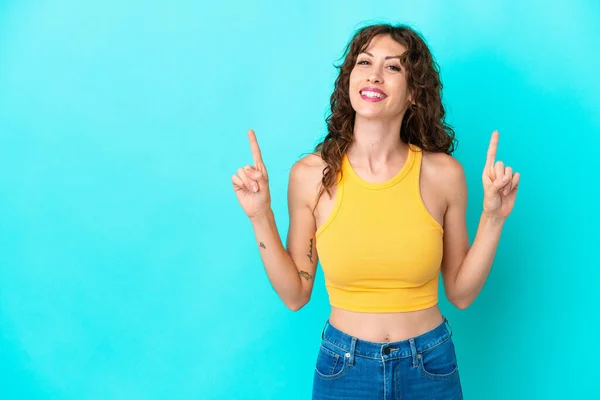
point(381, 203)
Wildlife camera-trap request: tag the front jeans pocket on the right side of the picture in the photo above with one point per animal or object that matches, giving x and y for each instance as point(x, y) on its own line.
point(439, 362)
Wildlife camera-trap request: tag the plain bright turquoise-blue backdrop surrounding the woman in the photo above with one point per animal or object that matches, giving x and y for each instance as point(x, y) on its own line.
point(129, 271)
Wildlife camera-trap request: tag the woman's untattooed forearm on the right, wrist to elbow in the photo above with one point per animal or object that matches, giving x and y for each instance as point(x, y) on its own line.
point(476, 266)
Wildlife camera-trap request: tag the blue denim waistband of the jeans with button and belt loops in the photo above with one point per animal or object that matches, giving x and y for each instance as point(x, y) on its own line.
point(404, 348)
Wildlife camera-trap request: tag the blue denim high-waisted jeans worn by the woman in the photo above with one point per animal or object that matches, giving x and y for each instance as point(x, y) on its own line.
point(422, 367)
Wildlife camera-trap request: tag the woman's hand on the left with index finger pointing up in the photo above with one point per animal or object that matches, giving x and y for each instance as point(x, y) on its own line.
point(251, 184)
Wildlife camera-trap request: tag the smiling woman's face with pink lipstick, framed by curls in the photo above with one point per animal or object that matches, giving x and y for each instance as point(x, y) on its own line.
point(378, 87)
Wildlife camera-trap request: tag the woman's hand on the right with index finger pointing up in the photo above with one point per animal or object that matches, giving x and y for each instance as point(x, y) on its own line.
point(500, 184)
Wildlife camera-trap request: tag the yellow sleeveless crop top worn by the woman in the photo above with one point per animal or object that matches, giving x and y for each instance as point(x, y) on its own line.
point(379, 248)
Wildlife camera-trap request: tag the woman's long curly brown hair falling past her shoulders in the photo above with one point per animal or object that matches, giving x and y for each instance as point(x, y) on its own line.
point(423, 123)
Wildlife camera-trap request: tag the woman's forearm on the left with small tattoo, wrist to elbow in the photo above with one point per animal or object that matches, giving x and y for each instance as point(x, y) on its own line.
point(279, 266)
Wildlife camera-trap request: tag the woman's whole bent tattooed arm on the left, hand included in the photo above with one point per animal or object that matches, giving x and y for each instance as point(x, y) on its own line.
point(291, 272)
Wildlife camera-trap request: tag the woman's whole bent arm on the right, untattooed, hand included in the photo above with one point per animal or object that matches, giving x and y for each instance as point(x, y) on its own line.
point(464, 269)
